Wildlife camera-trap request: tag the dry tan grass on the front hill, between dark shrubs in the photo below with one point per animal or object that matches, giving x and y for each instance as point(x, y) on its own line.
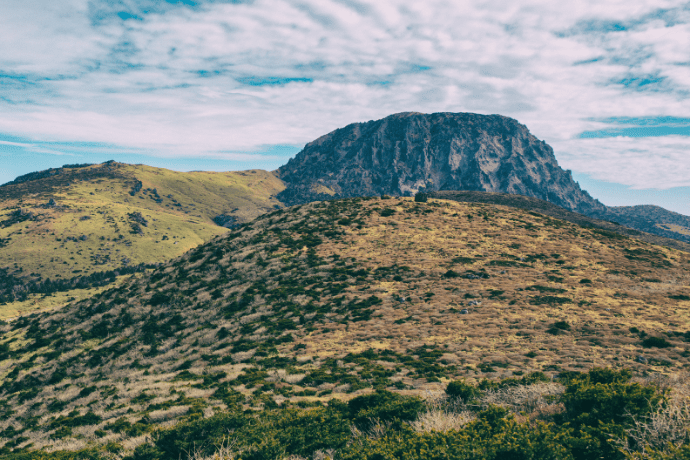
point(491, 326)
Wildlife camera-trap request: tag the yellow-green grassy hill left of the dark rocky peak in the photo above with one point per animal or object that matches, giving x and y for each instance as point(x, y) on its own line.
point(66, 224)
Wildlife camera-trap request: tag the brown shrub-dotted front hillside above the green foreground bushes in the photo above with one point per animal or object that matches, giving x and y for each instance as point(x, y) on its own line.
point(329, 300)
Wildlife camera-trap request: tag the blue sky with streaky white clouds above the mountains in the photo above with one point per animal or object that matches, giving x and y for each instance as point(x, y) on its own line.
point(235, 84)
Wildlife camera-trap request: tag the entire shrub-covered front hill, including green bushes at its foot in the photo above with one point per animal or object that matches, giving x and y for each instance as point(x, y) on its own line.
point(339, 325)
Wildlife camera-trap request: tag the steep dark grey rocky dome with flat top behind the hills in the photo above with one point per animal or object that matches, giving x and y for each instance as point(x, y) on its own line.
point(407, 153)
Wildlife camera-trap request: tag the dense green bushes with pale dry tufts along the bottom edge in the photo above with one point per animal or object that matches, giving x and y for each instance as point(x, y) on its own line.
point(599, 414)
